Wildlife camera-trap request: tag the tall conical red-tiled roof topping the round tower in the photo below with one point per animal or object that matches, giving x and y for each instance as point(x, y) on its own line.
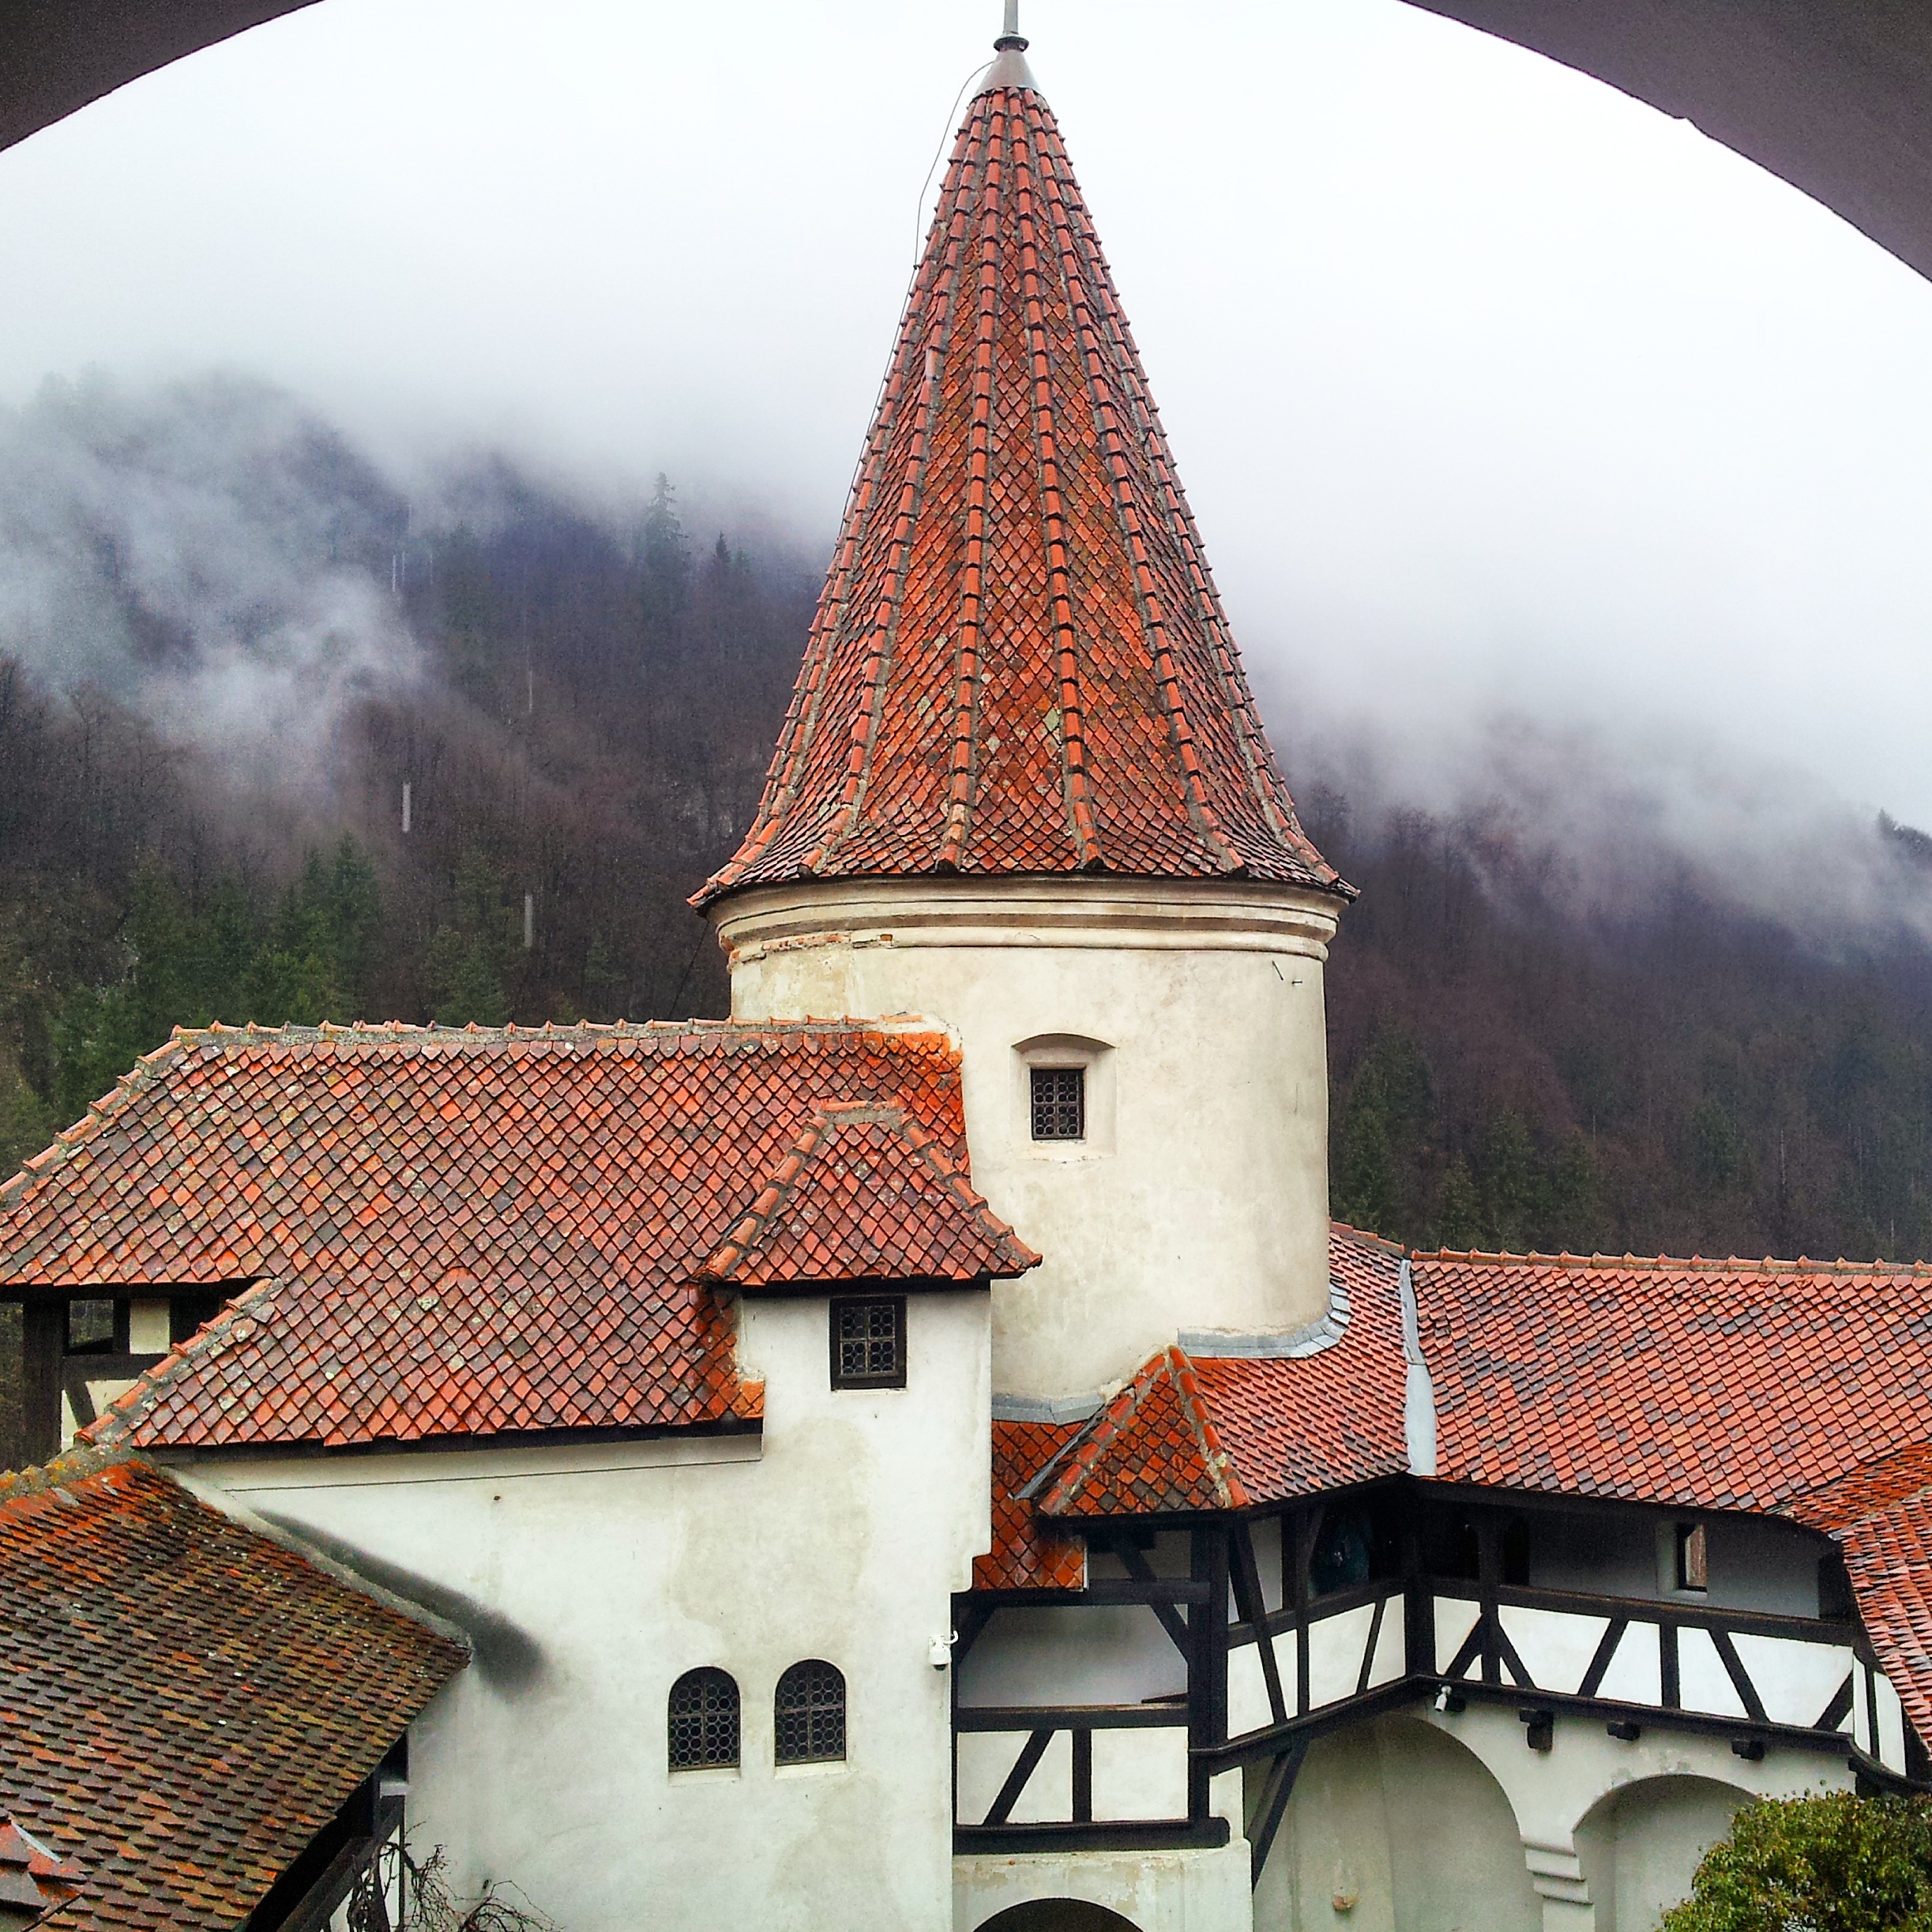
point(1021, 664)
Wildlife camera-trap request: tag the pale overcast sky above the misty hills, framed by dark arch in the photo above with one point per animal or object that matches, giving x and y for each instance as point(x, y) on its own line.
point(1512, 409)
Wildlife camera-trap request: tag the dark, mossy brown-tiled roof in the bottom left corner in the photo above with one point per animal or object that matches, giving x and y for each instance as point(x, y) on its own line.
point(183, 1703)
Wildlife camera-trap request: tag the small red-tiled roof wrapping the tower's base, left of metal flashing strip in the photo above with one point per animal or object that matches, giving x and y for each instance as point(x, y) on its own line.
point(1228, 1433)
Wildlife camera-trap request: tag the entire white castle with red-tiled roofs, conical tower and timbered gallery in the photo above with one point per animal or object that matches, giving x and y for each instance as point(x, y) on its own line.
point(917, 1454)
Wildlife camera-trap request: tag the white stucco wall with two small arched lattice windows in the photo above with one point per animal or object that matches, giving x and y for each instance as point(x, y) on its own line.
point(841, 1537)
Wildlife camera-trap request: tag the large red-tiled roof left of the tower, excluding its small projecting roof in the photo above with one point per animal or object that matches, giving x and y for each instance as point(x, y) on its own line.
point(463, 1234)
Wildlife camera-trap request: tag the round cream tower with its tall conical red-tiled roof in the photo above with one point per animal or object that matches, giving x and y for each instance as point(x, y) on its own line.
point(1023, 789)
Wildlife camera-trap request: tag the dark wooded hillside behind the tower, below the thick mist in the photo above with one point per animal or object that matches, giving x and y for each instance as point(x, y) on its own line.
point(582, 729)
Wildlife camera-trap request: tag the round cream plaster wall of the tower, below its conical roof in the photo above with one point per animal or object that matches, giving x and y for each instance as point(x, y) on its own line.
point(1201, 1195)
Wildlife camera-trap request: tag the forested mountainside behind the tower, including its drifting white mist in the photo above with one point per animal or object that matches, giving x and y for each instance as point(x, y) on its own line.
point(229, 640)
